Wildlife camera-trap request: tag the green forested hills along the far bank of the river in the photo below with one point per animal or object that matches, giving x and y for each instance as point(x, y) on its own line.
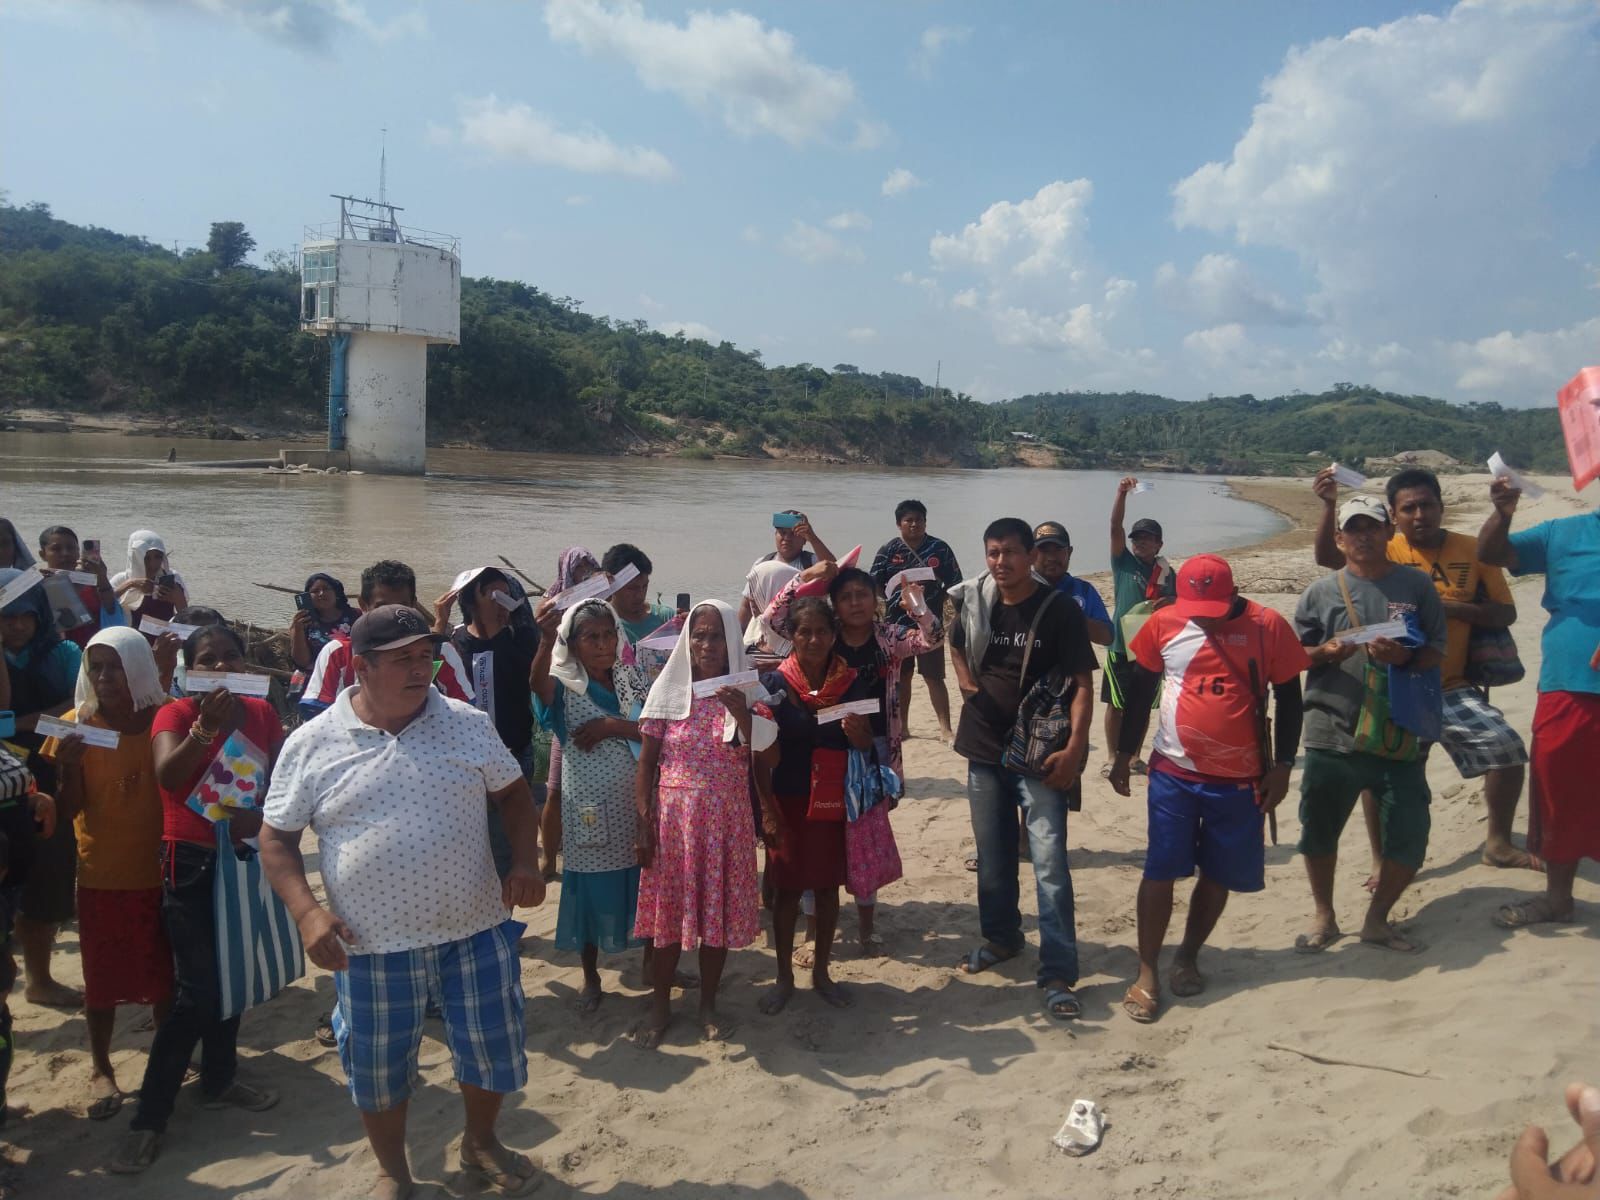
point(103, 322)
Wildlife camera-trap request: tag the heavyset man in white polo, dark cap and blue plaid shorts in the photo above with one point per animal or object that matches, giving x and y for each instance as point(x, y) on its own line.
point(393, 782)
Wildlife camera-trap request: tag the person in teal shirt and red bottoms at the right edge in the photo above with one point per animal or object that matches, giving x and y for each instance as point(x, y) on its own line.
point(1567, 718)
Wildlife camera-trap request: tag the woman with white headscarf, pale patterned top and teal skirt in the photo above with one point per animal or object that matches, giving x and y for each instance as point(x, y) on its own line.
point(591, 702)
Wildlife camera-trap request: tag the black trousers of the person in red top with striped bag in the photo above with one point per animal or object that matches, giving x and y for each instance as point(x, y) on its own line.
point(190, 873)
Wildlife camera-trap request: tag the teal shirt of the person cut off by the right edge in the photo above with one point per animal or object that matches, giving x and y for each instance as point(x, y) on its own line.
point(1567, 554)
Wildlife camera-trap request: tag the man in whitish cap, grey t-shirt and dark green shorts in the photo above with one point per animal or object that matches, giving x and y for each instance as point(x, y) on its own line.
point(1353, 740)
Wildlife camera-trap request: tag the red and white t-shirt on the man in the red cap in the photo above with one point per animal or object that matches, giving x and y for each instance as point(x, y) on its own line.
point(1209, 713)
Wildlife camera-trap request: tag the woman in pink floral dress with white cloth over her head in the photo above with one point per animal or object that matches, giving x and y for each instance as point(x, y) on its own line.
point(700, 886)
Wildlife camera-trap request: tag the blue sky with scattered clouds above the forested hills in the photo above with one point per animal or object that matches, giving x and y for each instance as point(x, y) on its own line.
point(1185, 199)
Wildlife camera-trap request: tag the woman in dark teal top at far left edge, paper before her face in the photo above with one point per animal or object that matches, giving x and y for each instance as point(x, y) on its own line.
point(42, 670)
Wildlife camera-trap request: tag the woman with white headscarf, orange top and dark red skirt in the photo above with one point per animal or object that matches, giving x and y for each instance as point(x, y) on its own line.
point(111, 794)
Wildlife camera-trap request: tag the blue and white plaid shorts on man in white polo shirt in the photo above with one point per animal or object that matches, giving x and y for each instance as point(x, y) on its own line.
point(378, 1022)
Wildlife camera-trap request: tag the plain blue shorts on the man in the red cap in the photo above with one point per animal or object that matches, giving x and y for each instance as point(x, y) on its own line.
point(1215, 826)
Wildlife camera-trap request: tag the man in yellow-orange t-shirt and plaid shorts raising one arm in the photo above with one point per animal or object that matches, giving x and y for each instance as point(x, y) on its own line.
point(1476, 735)
